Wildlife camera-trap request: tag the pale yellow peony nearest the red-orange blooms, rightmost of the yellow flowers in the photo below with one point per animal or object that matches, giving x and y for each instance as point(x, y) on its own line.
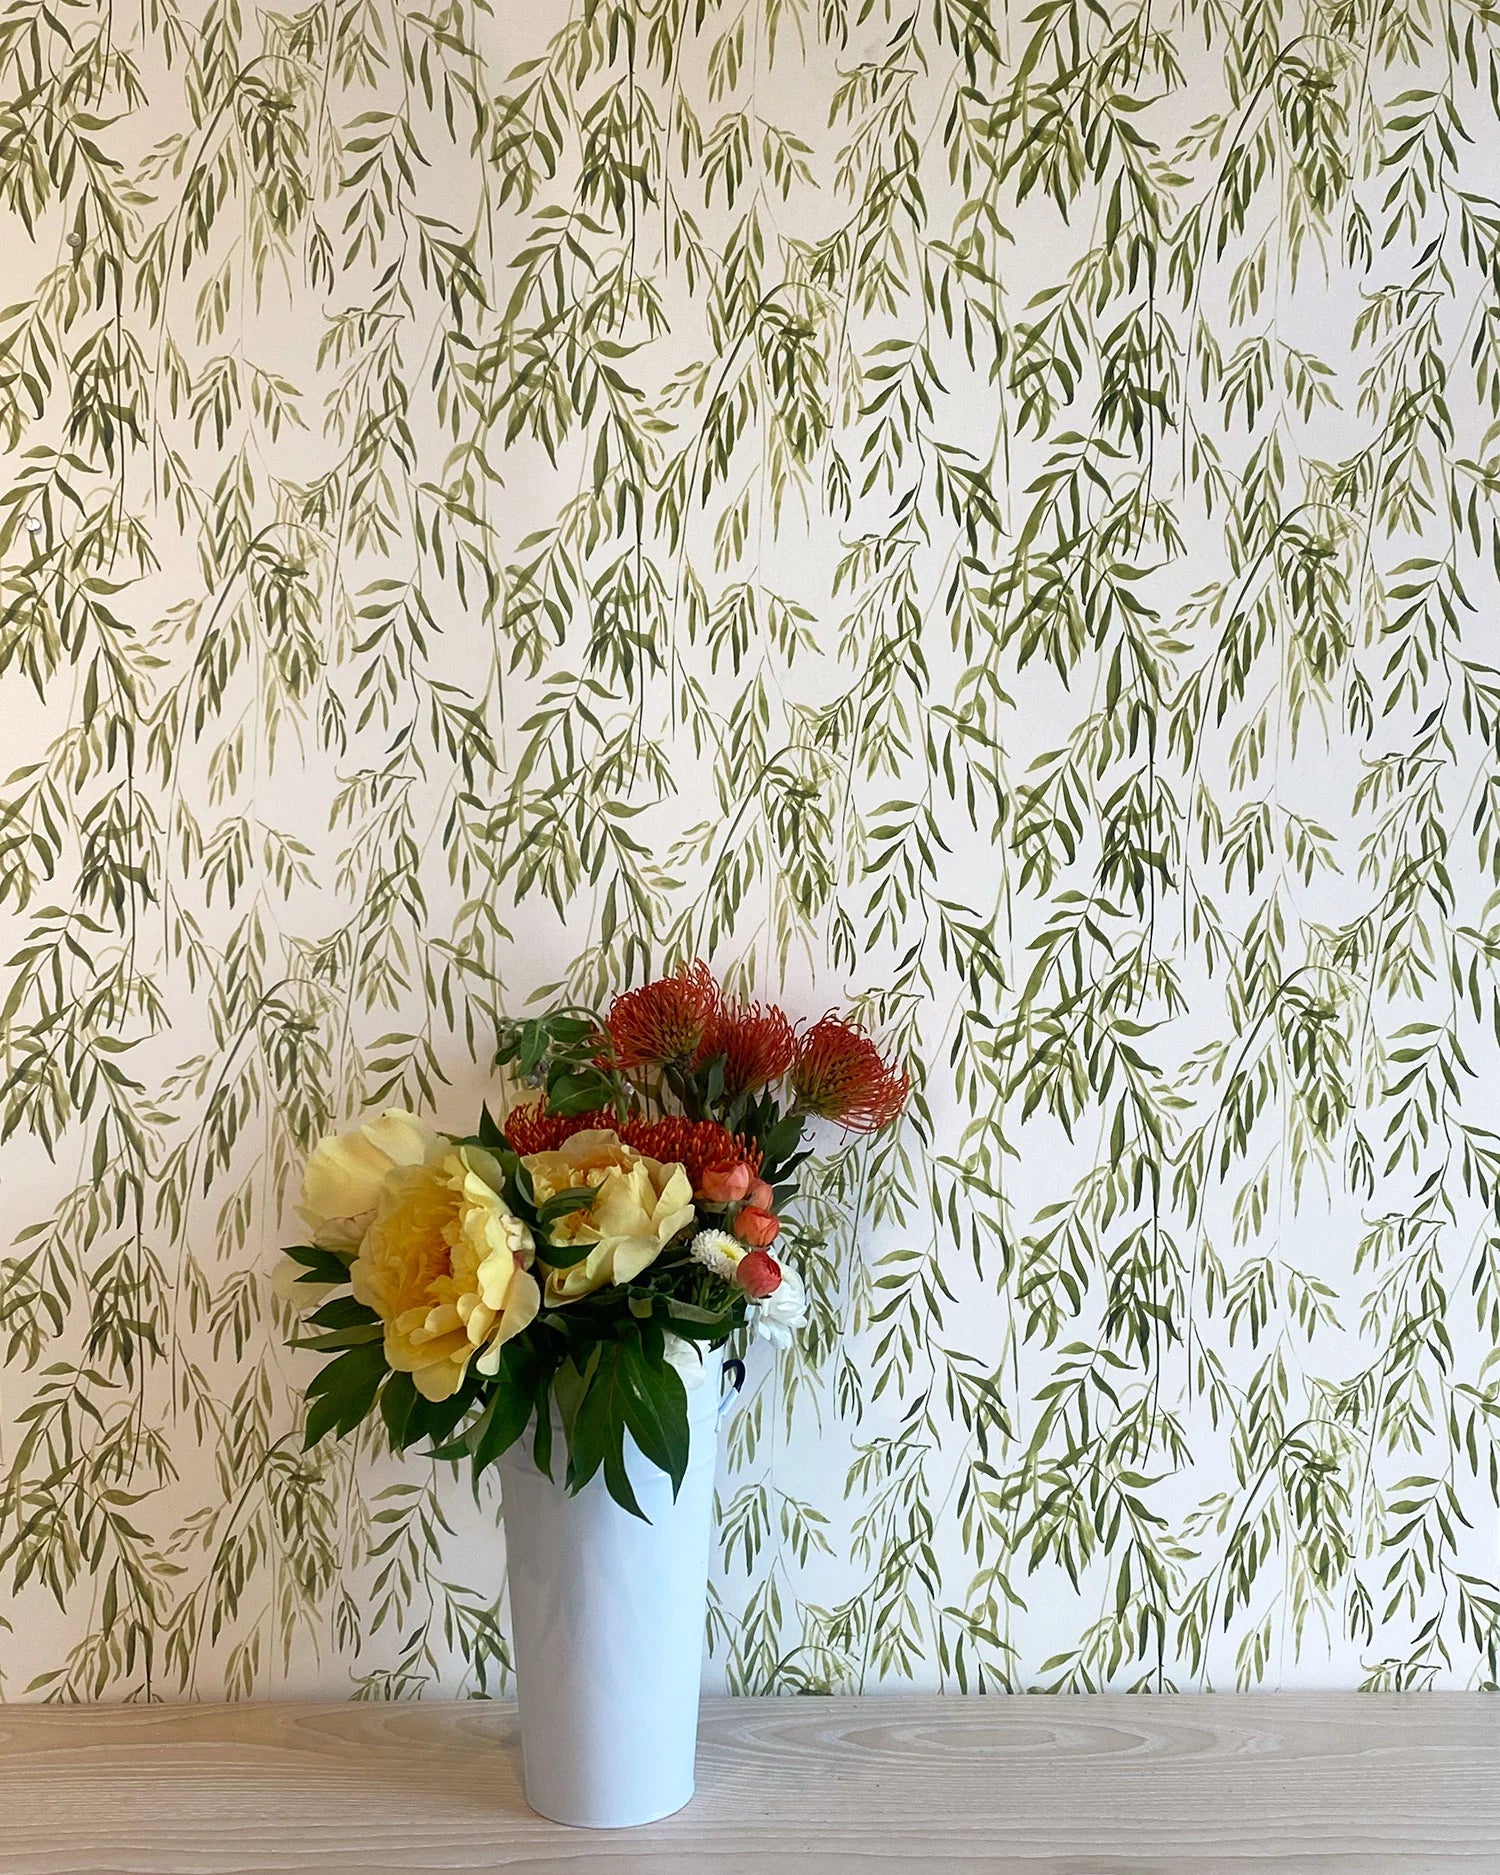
point(640, 1208)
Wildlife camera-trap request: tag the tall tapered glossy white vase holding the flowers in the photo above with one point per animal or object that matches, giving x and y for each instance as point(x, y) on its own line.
point(608, 1617)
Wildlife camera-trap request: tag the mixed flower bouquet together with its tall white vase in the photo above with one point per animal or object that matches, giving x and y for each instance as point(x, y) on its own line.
point(554, 1295)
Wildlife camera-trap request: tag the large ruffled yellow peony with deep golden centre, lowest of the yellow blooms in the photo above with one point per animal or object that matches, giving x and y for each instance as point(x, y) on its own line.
point(447, 1267)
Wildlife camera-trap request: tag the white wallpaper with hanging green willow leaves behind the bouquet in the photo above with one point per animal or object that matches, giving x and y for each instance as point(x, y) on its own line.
point(987, 511)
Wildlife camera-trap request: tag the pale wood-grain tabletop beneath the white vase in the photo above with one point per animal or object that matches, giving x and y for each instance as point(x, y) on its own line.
point(1274, 1784)
